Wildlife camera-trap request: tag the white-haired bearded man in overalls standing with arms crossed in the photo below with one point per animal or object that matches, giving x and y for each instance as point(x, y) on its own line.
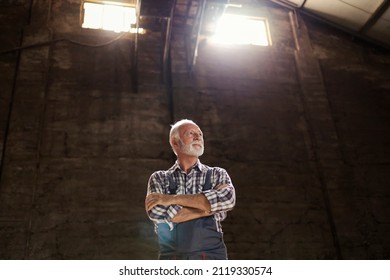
point(188, 202)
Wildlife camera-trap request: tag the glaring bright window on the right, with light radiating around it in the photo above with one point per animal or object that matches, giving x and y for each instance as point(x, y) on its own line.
point(238, 29)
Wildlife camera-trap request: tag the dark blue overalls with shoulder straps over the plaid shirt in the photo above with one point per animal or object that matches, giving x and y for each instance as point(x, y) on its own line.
point(194, 239)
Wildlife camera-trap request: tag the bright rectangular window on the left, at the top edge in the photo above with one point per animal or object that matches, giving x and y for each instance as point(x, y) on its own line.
point(109, 16)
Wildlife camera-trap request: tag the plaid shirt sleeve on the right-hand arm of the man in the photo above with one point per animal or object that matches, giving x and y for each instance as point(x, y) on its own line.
point(224, 199)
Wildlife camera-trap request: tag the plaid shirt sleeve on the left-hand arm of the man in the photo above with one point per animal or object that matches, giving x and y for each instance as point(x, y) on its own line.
point(159, 213)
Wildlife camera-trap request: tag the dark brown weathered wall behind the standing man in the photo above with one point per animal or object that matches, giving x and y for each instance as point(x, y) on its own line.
point(302, 127)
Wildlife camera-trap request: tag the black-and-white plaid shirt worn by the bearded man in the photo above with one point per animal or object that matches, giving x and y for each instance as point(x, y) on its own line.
point(221, 201)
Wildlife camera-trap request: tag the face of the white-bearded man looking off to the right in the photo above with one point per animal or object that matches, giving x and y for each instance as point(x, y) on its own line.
point(191, 140)
